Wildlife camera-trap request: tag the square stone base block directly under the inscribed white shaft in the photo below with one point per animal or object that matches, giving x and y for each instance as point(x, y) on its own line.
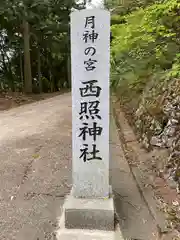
point(92, 214)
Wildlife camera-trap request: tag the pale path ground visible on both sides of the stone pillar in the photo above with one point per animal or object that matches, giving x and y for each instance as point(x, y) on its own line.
point(35, 174)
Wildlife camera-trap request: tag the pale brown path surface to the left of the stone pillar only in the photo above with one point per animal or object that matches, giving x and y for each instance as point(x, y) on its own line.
point(35, 167)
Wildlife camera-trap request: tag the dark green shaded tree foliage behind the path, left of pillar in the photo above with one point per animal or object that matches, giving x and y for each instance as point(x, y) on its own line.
point(49, 35)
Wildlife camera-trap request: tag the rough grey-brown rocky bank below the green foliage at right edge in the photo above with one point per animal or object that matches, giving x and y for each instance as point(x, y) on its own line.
point(158, 121)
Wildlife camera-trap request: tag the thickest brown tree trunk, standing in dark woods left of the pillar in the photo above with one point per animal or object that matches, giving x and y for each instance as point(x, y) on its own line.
point(27, 60)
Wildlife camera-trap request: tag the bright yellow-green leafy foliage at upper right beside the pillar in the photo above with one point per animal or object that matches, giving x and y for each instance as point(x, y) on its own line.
point(147, 43)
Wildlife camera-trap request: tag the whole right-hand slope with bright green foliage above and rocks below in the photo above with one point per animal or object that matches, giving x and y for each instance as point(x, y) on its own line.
point(145, 76)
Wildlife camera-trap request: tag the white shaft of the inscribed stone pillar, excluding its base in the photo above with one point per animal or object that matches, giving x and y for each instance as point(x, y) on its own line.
point(90, 178)
